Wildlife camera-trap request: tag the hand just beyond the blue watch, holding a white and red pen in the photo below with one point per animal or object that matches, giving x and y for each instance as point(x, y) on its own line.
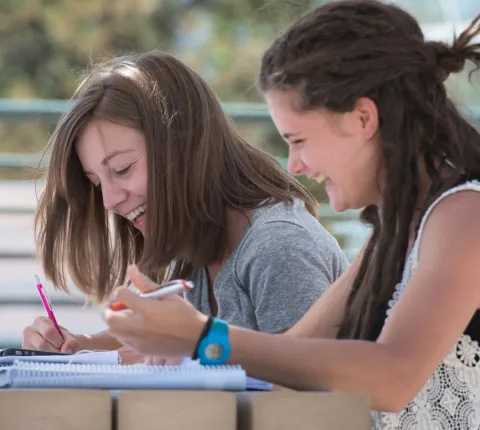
point(169, 327)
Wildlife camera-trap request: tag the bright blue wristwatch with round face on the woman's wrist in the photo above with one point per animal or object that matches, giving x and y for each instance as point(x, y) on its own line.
point(213, 347)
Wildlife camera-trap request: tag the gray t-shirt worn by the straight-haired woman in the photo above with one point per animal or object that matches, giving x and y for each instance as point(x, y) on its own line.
point(284, 261)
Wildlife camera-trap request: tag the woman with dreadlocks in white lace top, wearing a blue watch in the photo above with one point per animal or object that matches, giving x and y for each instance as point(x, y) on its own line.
point(359, 96)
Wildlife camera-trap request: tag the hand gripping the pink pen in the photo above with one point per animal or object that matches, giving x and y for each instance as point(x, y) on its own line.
point(43, 336)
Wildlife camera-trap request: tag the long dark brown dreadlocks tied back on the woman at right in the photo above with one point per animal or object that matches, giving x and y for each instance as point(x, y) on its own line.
point(349, 49)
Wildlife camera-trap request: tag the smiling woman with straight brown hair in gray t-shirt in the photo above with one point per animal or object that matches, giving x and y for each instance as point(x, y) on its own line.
point(146, 168)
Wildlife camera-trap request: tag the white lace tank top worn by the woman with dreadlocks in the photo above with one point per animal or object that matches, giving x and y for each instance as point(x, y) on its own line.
point(450, 400)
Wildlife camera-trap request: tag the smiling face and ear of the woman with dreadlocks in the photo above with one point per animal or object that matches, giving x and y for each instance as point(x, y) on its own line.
point(340, 149)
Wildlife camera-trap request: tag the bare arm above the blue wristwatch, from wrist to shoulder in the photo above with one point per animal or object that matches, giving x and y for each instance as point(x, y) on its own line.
point(428, 319)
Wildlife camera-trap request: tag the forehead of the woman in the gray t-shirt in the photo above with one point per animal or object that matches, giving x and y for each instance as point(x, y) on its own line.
point(100, 138)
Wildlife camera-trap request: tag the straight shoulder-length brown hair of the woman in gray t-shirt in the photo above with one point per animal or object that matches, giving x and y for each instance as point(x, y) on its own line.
point(198, 165)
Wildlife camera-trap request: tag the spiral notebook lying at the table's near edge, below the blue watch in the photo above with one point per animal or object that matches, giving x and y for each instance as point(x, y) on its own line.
point(23, 374)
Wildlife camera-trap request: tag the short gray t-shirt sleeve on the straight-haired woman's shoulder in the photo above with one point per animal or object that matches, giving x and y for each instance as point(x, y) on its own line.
point(285, 269)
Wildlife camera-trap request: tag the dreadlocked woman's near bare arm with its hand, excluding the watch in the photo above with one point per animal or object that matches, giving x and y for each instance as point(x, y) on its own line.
point(426, 322)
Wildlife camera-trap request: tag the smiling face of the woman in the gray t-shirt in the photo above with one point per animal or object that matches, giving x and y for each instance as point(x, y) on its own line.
point(113, 157)
